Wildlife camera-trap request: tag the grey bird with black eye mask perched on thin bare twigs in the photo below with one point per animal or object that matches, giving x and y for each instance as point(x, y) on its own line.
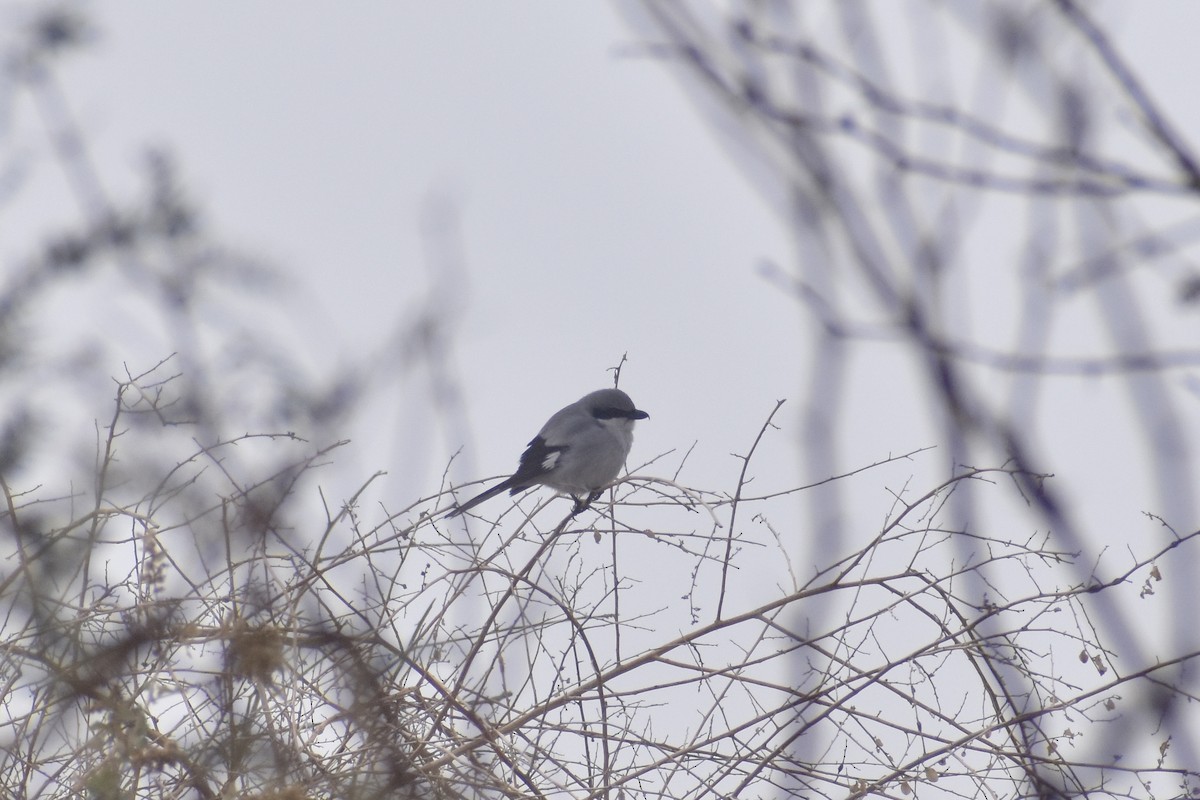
point(580, 450)
